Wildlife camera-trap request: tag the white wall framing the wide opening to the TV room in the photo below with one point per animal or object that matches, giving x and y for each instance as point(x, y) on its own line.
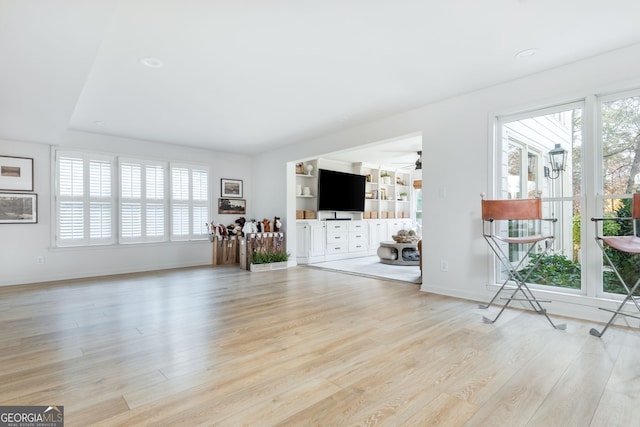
point(457, 136)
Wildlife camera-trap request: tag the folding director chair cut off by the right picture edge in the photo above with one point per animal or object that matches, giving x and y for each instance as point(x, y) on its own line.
point(626, 244)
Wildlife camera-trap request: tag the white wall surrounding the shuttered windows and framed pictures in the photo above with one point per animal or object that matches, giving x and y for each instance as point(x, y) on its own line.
point(23, 243)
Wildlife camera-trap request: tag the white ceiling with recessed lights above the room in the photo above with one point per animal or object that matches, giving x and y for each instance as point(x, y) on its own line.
point(247, 76)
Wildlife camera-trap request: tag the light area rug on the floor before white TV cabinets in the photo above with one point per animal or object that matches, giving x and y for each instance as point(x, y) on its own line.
point(372, 267)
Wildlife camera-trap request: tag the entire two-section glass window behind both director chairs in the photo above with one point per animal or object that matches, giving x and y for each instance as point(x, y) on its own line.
point(571, 196)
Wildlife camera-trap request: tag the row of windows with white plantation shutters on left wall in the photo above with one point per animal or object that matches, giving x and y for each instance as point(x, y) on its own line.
point(144, 201)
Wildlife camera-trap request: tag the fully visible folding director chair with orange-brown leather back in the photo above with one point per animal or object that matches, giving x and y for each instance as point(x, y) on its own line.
point(496, 217)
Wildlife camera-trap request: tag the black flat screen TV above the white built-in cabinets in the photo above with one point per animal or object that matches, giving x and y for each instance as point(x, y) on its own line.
point(340, 191)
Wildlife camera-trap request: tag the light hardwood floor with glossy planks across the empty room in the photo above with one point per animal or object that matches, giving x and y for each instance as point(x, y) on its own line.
point(301, 347)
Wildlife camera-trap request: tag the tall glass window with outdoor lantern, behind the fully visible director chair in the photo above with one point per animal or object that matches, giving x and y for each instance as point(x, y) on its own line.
point(524, 143)
